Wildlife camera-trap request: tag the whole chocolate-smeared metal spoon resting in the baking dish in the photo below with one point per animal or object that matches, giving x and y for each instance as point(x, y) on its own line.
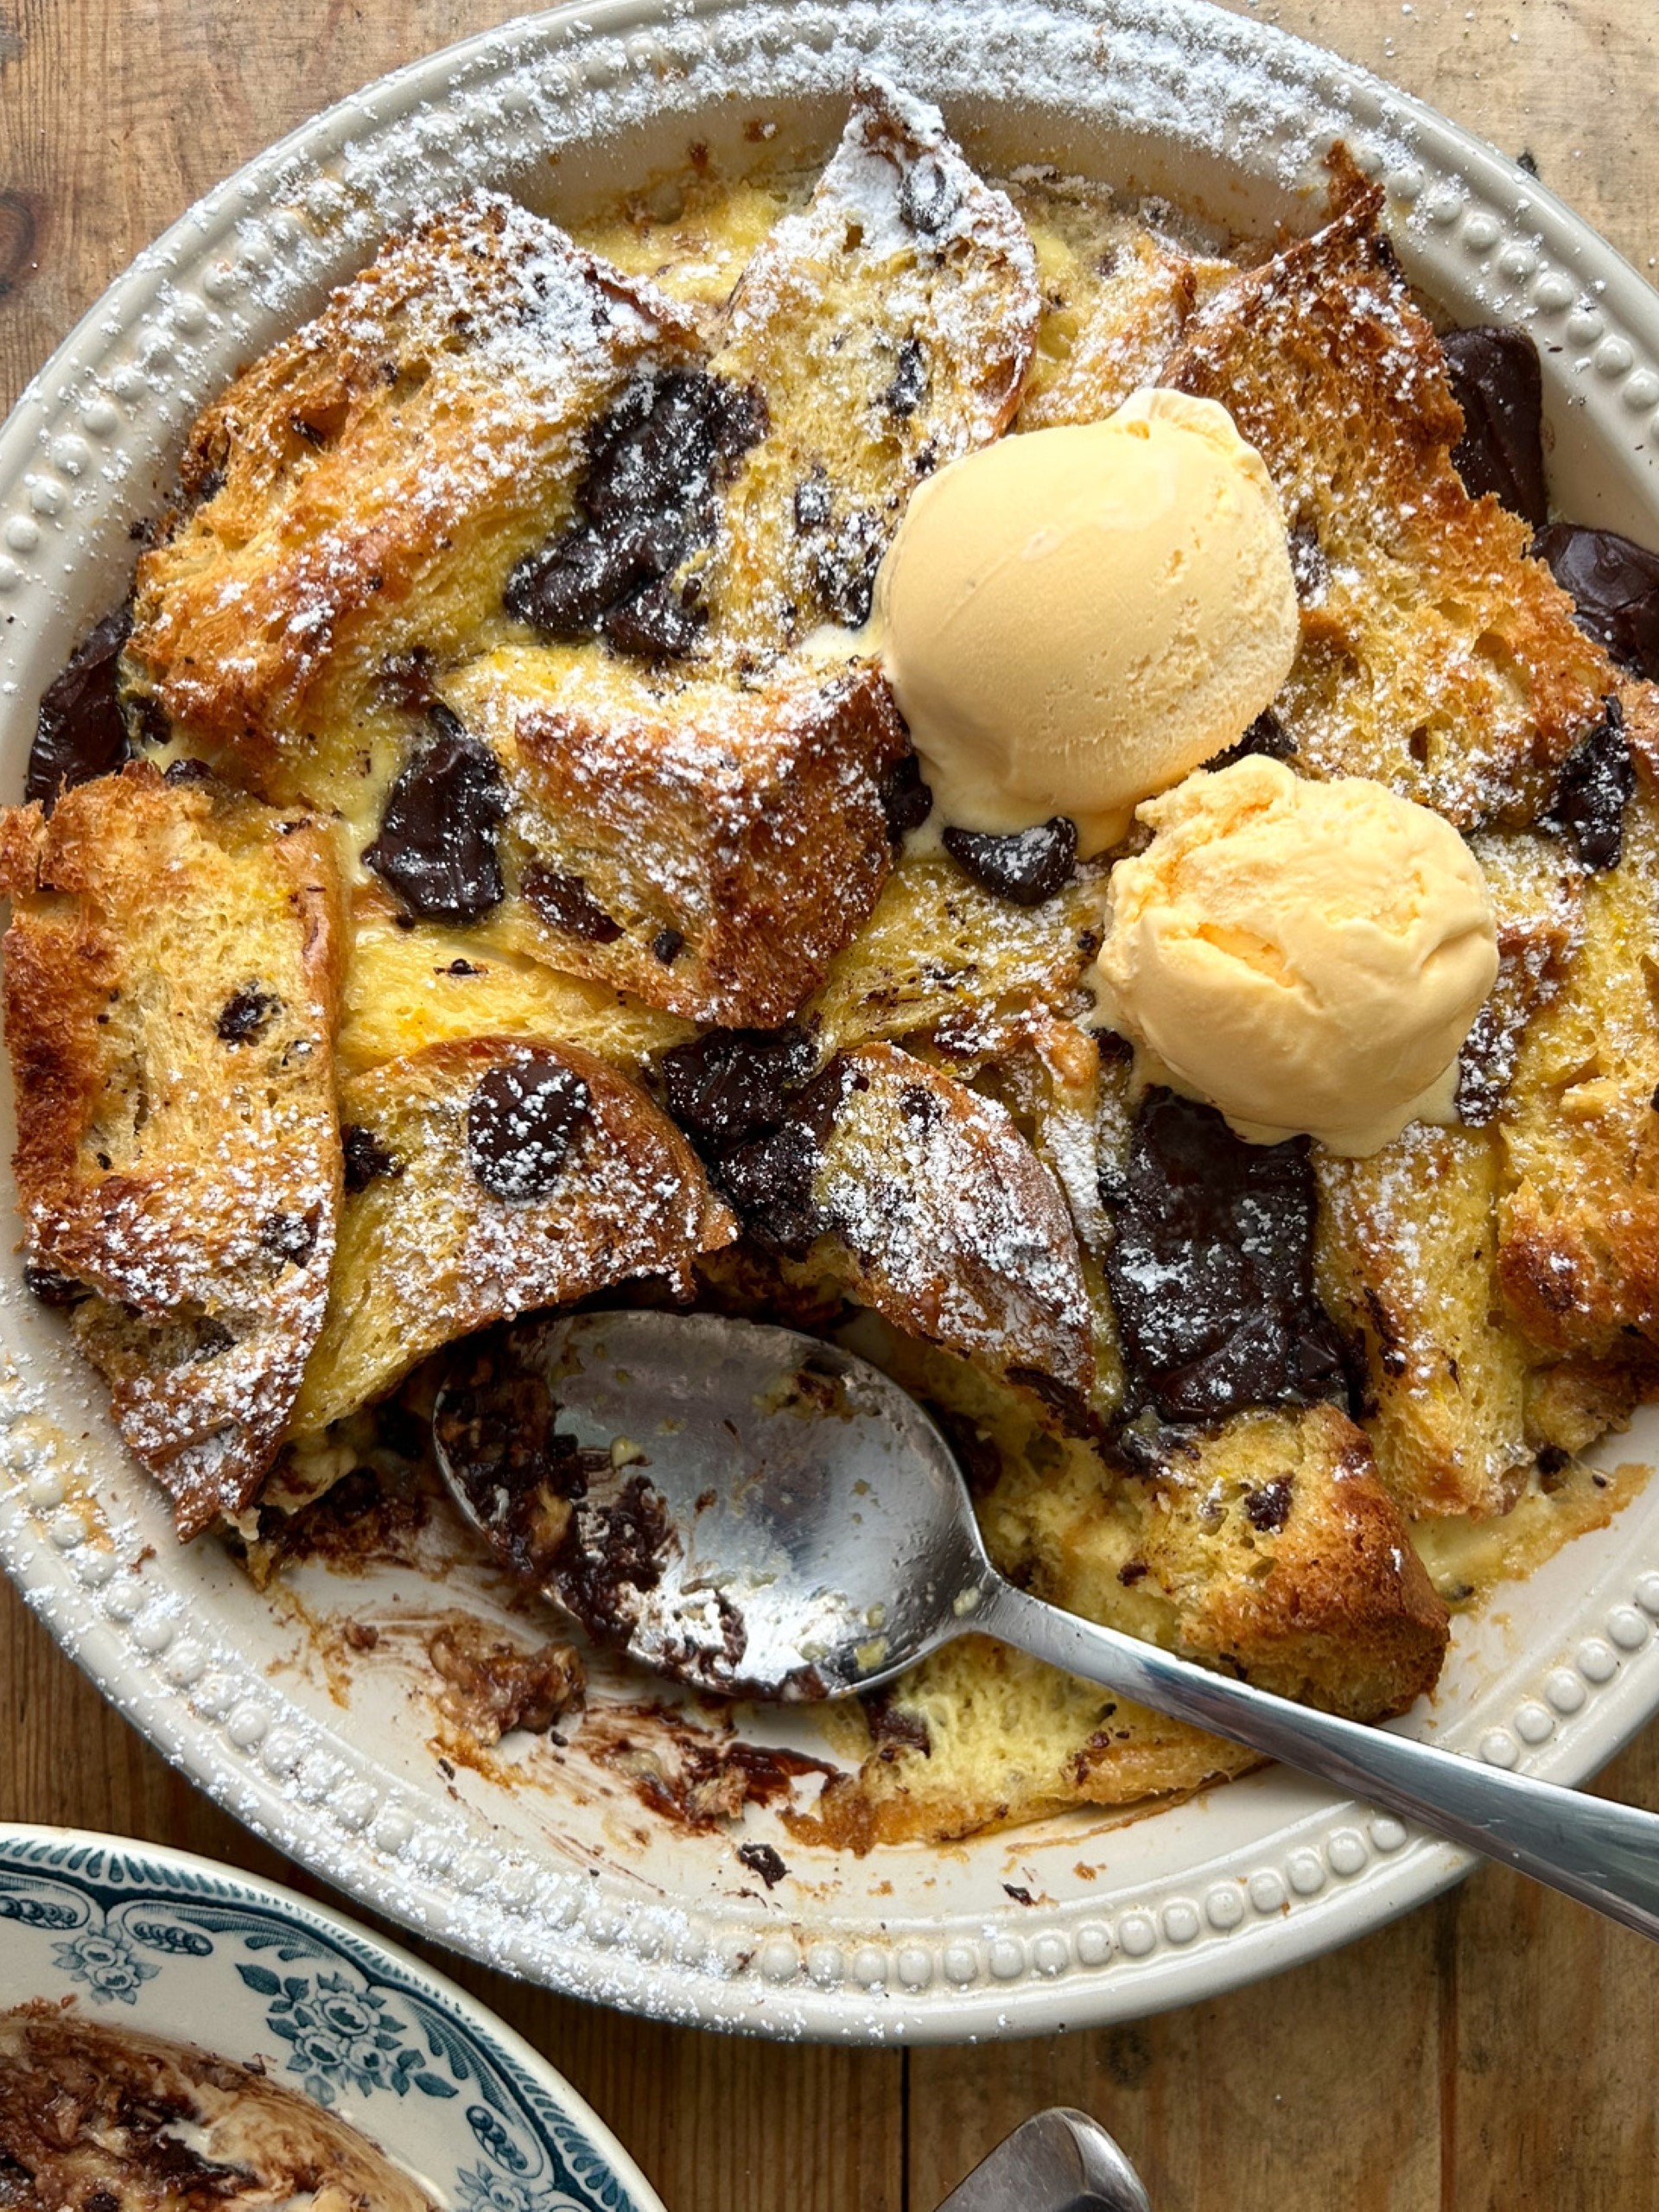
point(764, 1514)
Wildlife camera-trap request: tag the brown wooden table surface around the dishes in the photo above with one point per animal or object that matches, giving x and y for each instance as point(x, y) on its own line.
point(1494, 2049)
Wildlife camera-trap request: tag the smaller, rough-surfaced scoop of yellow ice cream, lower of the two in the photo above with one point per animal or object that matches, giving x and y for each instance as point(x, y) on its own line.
point(1308, 957)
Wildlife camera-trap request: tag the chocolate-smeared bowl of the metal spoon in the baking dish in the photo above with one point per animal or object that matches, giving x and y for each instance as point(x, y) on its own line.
point(749, 1510)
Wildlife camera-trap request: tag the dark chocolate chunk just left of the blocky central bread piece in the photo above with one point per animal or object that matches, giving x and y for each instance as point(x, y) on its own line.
point(437, 846)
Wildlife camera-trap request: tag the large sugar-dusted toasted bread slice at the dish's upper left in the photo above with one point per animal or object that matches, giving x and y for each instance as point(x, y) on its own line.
point(364, 492)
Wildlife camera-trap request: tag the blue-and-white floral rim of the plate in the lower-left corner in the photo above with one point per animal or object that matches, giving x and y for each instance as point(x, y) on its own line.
point(171, 1945)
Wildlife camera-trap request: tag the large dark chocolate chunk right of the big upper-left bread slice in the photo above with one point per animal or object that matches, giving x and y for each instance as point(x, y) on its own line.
point(658, 463)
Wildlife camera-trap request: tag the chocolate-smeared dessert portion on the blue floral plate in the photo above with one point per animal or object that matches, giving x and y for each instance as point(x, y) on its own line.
point(105, 2118)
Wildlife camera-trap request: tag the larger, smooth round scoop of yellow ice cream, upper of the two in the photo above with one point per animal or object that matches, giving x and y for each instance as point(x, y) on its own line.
point(1076, 618)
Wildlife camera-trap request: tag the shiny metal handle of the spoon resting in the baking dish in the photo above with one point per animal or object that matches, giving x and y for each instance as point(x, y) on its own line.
point(1594, 1850)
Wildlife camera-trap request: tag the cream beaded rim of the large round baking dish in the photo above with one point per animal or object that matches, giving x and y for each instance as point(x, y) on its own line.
point(87, 437)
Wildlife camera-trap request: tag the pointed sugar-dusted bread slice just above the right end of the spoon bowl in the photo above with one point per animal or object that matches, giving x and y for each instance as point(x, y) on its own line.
point(948, 1224)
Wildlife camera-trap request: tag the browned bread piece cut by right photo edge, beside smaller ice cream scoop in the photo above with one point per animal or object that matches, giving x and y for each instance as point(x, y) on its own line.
point(1580, 1211)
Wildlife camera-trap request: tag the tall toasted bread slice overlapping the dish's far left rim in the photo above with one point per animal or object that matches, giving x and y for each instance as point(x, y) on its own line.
point(171, 983)
